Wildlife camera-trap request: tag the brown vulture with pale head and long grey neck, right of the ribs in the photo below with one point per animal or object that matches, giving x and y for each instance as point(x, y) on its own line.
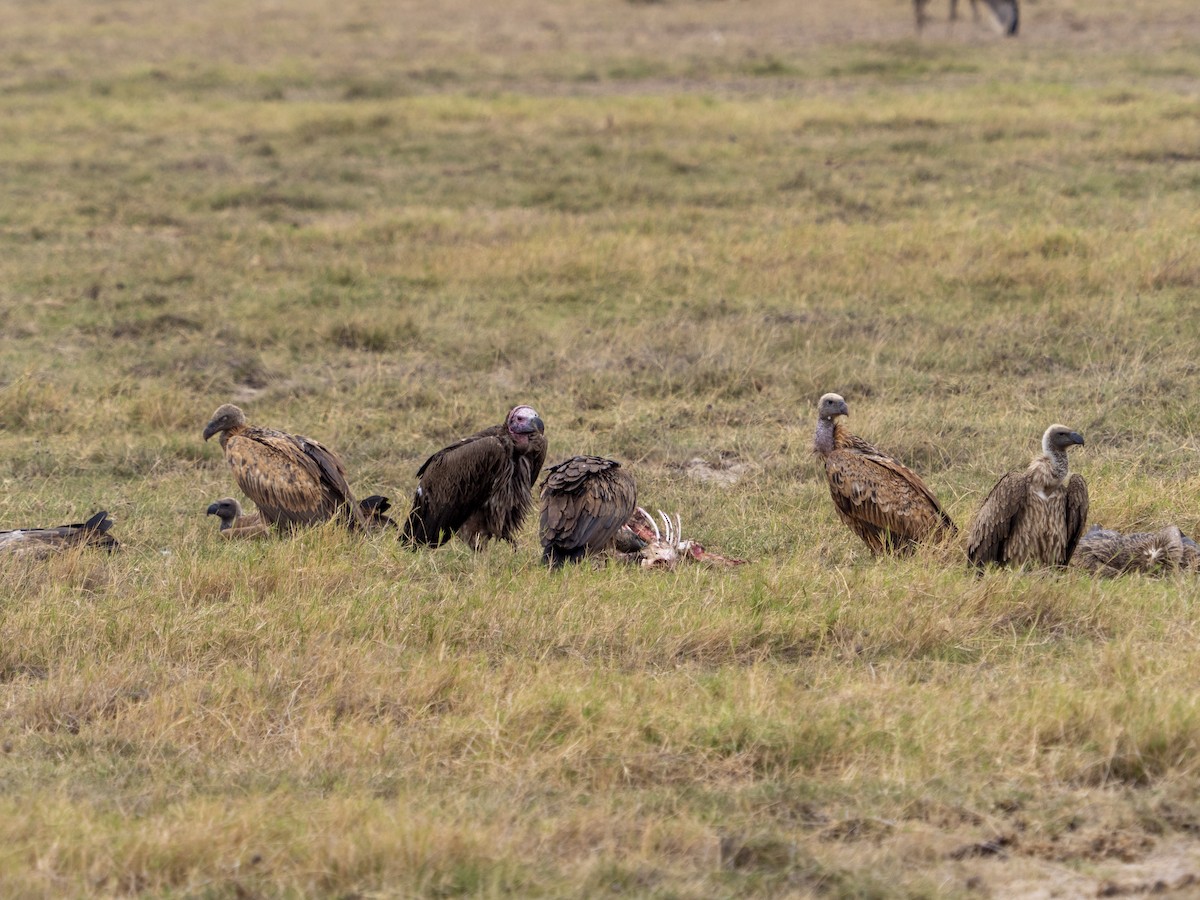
point(879, 499)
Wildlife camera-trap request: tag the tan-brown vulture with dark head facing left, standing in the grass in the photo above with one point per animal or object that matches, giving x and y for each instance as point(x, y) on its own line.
point(292, 479)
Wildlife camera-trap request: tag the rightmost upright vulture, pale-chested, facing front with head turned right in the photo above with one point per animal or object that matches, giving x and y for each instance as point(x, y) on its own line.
point(1036, 515)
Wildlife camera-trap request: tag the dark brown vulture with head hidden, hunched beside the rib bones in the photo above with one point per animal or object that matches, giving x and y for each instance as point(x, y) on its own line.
point(586, 501)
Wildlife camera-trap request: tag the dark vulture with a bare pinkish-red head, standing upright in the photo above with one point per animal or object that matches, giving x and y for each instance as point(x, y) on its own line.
point(479, 488)
